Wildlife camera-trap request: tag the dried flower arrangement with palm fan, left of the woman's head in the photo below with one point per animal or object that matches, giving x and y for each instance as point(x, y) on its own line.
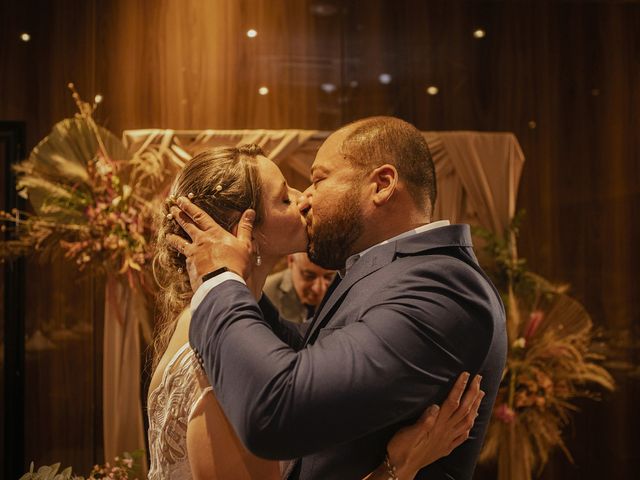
point(93, 201)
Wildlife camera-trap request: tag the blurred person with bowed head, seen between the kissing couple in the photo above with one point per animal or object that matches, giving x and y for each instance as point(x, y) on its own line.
point(297, 290)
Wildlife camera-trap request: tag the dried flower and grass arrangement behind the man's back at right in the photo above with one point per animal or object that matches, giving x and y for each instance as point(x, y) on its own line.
point(550, 363)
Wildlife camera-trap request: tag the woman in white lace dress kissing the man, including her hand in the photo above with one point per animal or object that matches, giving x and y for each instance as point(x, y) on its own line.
point(189, 435)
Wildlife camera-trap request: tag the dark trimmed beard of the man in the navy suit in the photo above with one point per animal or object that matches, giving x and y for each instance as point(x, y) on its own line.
point(331, 240)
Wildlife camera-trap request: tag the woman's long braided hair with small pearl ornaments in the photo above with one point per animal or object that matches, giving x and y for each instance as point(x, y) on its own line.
point(224, 182)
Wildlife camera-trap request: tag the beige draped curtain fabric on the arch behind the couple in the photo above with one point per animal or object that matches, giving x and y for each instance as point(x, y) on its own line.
point(478, 175)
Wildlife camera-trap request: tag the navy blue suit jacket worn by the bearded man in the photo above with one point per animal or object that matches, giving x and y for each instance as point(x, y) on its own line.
point(391, 338)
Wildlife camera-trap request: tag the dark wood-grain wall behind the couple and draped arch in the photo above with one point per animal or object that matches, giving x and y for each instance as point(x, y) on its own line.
point(571, 67)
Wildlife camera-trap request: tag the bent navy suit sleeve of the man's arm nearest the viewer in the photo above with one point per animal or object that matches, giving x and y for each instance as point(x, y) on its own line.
point(368, 375)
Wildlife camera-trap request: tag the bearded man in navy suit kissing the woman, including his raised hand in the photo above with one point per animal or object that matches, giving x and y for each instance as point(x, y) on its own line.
point(410, 310)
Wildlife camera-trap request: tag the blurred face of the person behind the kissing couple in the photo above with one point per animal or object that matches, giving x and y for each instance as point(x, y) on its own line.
point(309, 280)
